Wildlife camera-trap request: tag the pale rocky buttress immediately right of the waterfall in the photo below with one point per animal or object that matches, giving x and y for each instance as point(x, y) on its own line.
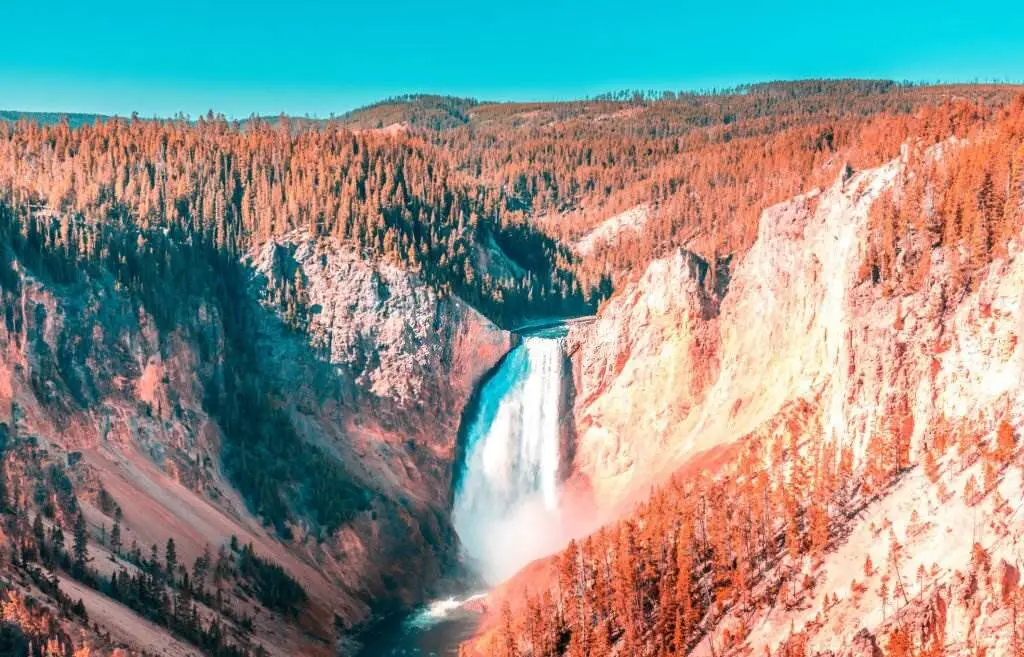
point(641, 368)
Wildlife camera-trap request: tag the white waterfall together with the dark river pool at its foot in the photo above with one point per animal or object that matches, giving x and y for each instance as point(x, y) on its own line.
point(506, 509)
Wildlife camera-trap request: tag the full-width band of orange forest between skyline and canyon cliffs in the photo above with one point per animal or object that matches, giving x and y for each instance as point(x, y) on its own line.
point(457, 180)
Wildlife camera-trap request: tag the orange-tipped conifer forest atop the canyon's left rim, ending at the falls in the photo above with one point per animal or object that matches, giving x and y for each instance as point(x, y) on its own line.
point(392, 198)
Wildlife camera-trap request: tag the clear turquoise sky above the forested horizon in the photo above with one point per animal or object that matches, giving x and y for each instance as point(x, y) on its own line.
point(304, 57)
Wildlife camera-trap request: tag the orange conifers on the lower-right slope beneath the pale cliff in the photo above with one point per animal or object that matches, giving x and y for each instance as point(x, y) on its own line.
point(735, 543)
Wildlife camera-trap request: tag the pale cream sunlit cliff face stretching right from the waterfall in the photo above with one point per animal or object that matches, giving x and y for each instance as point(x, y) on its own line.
point(669, 371)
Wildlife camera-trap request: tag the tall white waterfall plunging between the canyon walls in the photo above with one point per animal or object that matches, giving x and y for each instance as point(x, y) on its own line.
point(506, 504)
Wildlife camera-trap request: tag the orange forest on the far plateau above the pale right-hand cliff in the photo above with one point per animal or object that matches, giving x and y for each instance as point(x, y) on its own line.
point(706, 165)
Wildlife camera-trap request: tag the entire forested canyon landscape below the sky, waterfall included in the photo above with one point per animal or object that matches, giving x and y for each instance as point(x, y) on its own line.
point(723, 374)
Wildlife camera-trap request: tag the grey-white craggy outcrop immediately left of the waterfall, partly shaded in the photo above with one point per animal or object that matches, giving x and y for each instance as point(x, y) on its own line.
point(394, 363)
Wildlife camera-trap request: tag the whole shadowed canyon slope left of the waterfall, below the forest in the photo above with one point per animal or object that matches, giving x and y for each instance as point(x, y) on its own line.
point(220, 426)
